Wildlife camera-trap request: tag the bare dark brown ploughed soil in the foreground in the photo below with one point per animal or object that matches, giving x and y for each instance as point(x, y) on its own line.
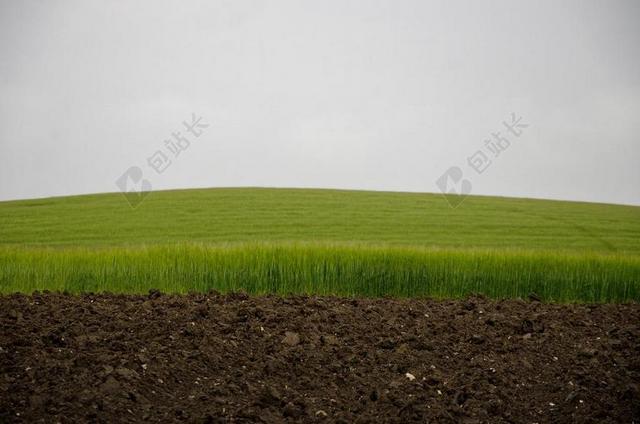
point(234, 358)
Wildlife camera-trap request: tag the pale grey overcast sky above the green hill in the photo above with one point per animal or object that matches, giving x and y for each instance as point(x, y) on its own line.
point(508, 98)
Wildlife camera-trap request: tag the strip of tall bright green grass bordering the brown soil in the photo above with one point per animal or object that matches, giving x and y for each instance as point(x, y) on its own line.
point(324, 269)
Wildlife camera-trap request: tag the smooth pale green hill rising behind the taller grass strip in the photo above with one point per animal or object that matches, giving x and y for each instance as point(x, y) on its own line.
point(276, 215)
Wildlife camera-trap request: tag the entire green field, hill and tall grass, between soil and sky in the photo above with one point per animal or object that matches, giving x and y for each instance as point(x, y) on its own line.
point(322, 241)
